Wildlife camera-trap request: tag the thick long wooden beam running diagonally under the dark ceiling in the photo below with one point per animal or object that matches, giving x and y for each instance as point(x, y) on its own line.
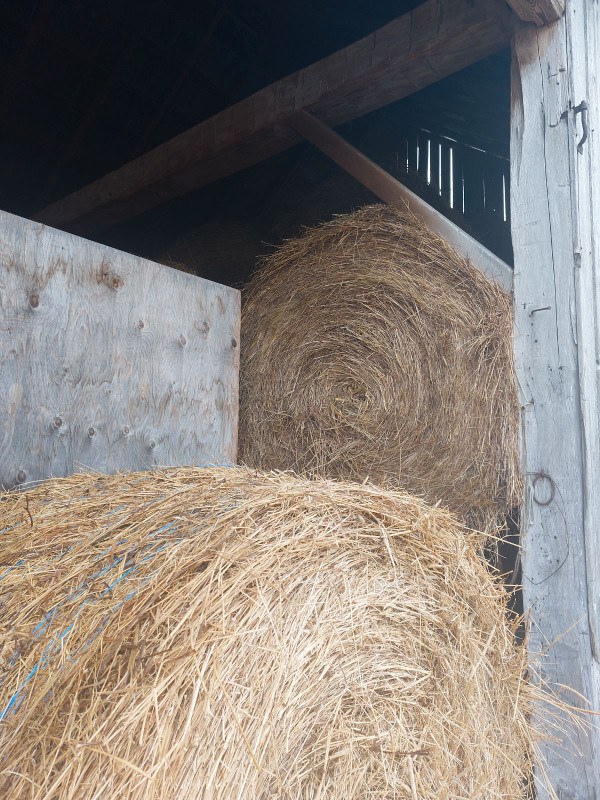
point(431, 41)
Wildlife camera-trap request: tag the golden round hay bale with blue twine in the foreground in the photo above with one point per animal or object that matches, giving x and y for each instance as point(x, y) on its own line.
point(218, 633)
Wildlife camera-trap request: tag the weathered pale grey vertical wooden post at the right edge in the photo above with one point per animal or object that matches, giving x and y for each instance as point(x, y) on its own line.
point(555, 196)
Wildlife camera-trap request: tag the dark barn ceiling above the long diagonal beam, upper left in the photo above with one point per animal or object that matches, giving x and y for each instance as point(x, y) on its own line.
point(86, 85)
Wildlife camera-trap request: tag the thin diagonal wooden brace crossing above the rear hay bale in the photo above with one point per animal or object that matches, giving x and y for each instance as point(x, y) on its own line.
point(391, 191)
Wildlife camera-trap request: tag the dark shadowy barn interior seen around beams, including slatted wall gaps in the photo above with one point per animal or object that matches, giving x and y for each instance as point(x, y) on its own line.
point(89, 86)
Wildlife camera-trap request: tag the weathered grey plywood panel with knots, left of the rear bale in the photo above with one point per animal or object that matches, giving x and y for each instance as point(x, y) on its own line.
point(108, 361)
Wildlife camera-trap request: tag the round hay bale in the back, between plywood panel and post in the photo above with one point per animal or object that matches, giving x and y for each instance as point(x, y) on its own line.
point(371, 350)
